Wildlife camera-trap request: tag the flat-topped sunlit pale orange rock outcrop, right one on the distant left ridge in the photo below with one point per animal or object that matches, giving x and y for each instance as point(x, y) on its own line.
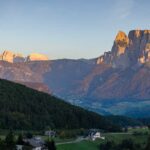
point(37, 57)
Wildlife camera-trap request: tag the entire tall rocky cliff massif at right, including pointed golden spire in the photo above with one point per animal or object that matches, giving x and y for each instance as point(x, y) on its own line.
point(130, 50)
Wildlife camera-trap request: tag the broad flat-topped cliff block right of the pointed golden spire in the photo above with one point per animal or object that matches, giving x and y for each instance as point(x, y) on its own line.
point(139, 46)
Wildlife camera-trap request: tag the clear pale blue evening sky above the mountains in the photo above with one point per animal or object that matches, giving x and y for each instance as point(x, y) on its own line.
point(68, 28)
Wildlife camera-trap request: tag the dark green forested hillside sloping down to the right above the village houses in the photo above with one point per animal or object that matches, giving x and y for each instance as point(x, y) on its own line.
point(25, 108)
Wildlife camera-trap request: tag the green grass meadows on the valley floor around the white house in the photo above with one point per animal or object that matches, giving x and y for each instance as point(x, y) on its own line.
point(139, 136)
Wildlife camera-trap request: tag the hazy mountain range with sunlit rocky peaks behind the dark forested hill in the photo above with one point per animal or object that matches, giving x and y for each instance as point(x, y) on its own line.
point(115, 83)
